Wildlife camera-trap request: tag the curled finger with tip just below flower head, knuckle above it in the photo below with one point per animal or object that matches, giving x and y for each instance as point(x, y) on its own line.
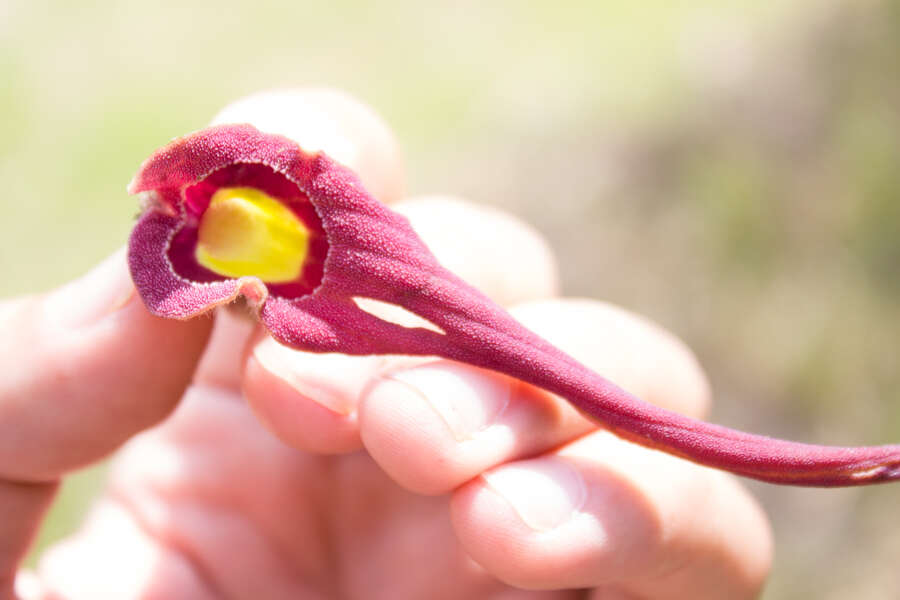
point(310, 400)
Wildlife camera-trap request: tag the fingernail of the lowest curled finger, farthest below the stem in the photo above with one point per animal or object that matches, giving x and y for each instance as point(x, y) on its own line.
point(545, 492)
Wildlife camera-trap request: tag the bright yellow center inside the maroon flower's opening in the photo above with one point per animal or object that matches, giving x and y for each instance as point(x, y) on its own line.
point(244, 231)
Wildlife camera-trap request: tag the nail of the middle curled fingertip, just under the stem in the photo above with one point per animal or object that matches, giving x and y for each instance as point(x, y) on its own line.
point(467, 400)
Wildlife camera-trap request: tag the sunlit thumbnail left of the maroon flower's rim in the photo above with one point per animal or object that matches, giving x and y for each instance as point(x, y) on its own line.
point(102, 291)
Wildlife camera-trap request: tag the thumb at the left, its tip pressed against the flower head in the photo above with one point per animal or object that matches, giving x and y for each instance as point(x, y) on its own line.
point(86, 367)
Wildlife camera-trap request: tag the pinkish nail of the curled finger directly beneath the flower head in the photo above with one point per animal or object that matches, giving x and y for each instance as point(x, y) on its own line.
point(334, 381)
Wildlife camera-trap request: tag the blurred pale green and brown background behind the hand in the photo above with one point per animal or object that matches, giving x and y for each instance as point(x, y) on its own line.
point(728, 168)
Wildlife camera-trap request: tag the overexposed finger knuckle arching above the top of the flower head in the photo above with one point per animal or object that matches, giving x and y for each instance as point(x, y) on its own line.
point(331, 121)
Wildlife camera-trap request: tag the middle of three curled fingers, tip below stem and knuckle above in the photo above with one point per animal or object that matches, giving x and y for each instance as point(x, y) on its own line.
point(436, 426)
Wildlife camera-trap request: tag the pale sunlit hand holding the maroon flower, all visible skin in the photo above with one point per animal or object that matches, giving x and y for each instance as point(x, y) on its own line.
point(244, 469)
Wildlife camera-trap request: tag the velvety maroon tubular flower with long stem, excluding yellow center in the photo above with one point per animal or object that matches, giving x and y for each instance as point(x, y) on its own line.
point(361, 249)
